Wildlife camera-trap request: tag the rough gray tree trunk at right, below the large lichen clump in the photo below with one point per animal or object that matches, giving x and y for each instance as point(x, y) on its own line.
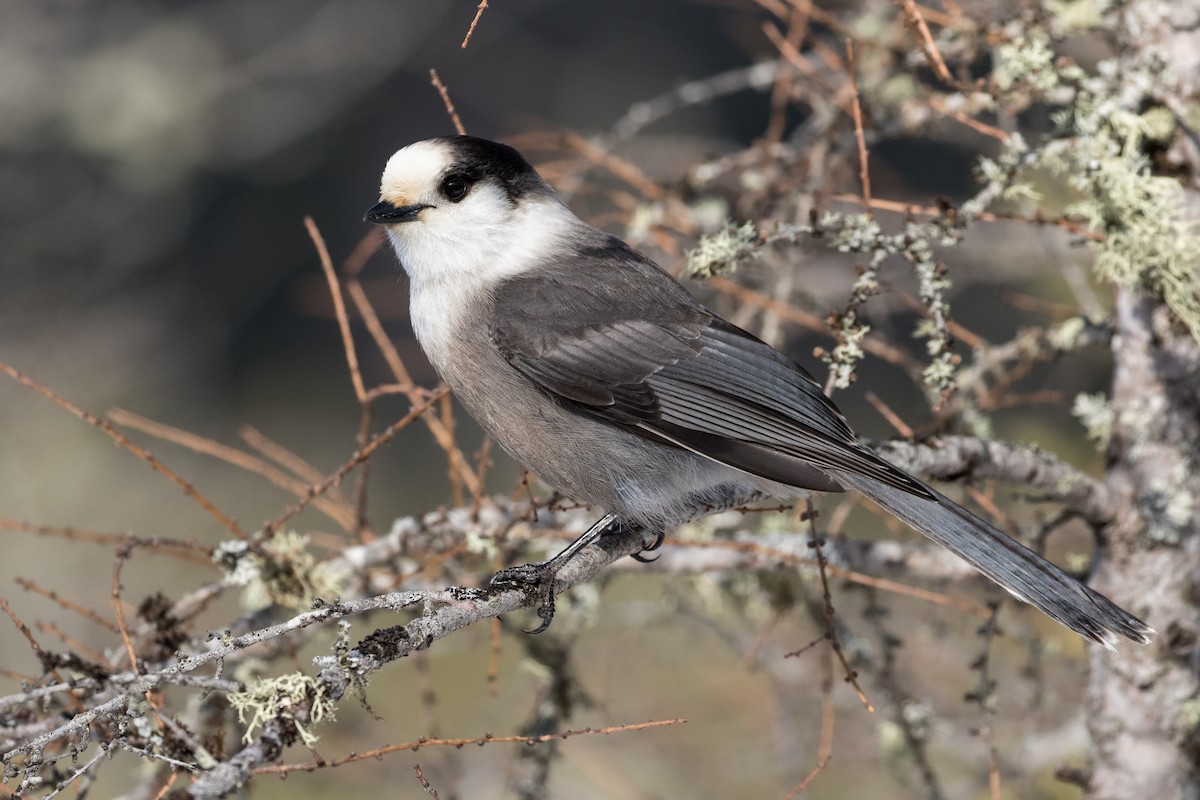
point(1144, 703)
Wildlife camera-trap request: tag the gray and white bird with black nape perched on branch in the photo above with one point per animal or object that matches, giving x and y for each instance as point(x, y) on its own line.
point(602, 375)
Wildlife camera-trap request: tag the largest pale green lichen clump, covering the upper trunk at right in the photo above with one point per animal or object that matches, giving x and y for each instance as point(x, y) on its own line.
point(1149, 233)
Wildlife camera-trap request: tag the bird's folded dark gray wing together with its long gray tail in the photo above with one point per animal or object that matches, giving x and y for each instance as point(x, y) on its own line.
point(652, 360)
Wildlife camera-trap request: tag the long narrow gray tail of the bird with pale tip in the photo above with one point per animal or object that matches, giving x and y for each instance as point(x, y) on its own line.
point(1016, 568)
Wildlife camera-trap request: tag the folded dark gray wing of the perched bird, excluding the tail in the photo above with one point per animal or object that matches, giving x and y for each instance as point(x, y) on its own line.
point(659, 364)
